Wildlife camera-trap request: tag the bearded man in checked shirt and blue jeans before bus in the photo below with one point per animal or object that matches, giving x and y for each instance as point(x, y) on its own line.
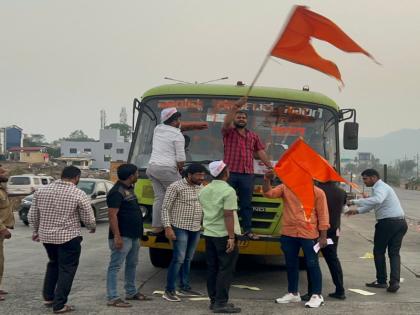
point(181, 217)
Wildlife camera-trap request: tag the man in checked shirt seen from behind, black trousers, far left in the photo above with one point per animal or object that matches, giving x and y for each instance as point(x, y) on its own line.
point(55, 216)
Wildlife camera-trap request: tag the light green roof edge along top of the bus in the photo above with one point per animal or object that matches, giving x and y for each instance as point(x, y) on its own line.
point(233, 90)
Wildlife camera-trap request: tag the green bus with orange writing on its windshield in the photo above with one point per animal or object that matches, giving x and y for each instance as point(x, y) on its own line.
point(279, 116)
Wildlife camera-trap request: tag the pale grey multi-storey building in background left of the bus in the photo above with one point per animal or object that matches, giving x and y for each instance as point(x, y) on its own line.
point(110, 147)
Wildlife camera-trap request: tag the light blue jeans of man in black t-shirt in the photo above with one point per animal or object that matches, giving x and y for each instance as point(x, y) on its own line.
point(130, 254)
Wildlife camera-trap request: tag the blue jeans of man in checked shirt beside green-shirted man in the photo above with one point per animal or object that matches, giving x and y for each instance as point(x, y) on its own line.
point(183, 251)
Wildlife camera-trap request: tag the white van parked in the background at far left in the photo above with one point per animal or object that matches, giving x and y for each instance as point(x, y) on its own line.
point(26, 184)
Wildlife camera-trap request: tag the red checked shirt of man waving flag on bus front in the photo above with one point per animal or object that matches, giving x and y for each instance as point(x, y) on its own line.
point(240, 149)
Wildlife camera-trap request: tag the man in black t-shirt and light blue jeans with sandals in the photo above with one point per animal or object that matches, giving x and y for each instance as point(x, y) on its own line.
point(125, 231)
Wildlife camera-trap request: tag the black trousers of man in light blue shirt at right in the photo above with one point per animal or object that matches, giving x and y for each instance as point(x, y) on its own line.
point(389, 233)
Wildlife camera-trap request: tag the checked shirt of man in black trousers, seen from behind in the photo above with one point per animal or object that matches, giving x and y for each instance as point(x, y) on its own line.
point(57, 210)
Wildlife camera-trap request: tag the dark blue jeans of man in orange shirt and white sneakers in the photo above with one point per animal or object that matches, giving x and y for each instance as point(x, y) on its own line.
point(291, 247)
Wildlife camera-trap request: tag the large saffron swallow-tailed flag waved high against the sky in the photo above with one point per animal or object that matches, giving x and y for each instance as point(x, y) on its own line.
point(295, 42)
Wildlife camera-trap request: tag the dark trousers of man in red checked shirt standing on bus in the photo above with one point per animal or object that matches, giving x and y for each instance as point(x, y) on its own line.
point(244, 186)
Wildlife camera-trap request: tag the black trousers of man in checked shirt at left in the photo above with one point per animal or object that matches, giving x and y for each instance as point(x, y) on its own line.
point(61, 269)
